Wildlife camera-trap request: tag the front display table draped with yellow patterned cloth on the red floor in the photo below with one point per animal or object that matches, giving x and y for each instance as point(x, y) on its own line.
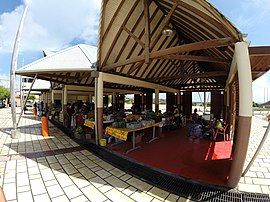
point(122, 134)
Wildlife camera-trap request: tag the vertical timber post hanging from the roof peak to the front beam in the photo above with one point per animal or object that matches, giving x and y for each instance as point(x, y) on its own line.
point(147, 30)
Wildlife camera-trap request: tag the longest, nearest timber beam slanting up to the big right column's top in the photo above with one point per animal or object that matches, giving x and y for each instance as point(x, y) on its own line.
point(202, 45)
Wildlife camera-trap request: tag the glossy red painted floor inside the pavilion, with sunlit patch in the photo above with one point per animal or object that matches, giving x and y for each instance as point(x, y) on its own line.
point(200, 159)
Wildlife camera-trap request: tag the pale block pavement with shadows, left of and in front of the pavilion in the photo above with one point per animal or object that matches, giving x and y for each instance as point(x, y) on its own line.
point(67, 173)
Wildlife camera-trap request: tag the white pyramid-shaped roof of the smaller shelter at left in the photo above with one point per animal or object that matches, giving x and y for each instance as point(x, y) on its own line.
point(69, 66)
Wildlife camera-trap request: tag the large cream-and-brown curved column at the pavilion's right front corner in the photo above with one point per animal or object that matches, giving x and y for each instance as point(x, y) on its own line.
point(245, 113)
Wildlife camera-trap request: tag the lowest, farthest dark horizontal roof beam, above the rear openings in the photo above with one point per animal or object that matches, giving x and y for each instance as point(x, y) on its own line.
point(192, 76)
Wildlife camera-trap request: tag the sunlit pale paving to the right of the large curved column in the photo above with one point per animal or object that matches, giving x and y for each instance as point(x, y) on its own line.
point(257, 179)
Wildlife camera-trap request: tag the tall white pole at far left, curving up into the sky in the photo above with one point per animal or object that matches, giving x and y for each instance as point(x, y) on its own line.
point(14, 61)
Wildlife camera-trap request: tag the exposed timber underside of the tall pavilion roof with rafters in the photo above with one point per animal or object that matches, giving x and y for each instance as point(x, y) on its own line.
point(197, 54)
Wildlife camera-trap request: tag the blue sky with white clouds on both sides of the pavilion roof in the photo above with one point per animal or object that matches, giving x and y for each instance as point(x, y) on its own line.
point(57, 24)
